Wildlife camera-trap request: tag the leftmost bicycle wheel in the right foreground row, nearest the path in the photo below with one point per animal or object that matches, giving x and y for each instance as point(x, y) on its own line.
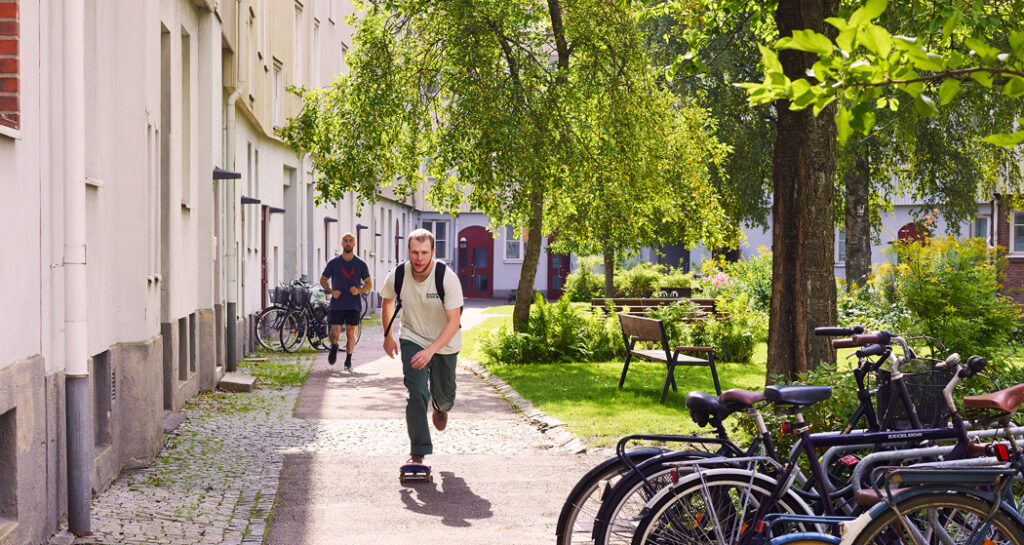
point(576, 522)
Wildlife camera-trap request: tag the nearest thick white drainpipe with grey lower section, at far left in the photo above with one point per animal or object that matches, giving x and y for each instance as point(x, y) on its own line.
point(76, 340)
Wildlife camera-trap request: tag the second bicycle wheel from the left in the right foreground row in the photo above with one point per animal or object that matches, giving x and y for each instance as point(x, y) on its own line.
point(617, 517)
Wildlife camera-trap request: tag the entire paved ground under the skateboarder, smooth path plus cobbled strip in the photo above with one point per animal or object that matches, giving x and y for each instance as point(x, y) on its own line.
point(324, 460)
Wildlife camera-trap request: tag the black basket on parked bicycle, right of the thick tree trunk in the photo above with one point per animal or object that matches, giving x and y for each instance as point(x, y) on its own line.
point(925, 389)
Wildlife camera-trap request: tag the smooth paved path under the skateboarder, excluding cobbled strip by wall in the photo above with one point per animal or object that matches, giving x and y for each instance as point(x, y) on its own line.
point(497, 480)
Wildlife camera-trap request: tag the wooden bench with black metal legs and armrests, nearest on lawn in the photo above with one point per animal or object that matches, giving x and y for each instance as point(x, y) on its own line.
point(637, 329)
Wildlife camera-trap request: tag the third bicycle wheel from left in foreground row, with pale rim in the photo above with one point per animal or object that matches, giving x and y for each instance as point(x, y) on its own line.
point(714, 508)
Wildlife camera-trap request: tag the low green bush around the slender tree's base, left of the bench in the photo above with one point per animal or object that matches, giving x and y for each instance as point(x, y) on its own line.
point(558, 332)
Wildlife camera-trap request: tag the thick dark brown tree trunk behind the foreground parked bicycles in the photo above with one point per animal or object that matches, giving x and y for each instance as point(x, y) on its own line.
point(803, 279)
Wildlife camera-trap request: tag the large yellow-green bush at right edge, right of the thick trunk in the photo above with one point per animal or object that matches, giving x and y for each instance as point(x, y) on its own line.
point(945, 288)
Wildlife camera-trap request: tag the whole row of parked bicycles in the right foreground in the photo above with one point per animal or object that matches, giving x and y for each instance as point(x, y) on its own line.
point(921, 471)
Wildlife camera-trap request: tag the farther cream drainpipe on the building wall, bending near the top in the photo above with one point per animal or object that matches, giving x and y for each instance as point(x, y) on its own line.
point(231, 256)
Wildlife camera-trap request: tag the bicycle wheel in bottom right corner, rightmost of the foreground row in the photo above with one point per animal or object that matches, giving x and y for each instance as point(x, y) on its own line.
point(942, 518)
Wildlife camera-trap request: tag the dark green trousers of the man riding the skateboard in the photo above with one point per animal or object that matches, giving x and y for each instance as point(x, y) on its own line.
point(436, 381)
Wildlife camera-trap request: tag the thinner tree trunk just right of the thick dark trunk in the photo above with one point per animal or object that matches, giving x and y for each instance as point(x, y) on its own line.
point(859, 223)
